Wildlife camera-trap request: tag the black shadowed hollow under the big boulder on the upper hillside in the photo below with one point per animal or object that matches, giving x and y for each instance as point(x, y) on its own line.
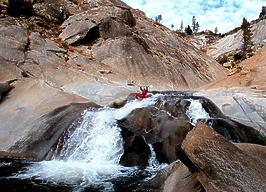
point(90, 38)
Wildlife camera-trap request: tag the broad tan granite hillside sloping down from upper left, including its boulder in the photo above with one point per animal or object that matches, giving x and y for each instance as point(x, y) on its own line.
point(68, 42)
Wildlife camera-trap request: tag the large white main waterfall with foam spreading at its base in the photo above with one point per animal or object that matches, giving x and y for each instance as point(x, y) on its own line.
point(92, 152)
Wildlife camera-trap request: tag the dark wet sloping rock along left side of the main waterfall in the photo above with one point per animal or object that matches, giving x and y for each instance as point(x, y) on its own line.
point(47, 130)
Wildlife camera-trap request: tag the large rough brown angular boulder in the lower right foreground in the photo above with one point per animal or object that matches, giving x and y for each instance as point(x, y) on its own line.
point(221, 165)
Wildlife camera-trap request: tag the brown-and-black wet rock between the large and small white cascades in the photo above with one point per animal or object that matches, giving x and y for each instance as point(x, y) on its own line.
point(164, 125)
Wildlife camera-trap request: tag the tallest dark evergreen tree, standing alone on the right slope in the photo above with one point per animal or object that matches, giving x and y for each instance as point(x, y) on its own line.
point(247, 42)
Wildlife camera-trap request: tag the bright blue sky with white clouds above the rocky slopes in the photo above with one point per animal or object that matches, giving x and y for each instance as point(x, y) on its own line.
point(223, 14)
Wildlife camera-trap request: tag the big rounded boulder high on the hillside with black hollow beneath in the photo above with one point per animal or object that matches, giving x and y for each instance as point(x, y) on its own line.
point(85, 27)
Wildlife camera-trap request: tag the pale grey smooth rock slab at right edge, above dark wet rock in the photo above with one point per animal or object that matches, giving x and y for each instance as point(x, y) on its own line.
point(246, 106)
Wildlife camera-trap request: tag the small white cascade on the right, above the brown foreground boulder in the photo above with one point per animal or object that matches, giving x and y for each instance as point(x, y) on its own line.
point(196, 112)
